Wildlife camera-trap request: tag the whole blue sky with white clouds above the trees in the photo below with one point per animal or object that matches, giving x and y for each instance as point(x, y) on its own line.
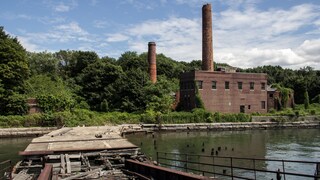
point(246, 33)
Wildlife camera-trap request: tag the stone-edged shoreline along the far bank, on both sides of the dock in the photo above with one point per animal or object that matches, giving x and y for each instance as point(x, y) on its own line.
point(149, 128)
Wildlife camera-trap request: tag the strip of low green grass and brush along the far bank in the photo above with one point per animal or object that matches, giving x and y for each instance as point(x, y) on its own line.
point(80, 117)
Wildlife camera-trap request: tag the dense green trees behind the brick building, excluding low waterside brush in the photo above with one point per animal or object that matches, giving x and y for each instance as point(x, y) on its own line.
point(108, 84)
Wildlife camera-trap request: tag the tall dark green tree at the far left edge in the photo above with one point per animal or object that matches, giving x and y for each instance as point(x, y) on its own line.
point(14, 71)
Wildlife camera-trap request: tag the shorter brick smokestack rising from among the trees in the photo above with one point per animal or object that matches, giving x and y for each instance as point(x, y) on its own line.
point(152, 61)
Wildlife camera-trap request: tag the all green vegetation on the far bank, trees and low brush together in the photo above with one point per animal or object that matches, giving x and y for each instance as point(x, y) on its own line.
point(80, 88)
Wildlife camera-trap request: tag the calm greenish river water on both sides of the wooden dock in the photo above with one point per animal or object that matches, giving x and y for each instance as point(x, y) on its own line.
point(288, 144)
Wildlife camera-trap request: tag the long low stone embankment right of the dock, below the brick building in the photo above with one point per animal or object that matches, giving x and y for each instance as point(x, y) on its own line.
point(261, 122)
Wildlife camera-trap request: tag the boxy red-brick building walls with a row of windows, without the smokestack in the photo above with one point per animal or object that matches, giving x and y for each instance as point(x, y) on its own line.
point(224, 91)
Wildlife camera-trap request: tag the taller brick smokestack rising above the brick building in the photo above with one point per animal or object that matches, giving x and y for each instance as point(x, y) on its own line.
point(207, 50)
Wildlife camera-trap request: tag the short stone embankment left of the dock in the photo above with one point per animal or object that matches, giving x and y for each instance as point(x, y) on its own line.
point(25, 132)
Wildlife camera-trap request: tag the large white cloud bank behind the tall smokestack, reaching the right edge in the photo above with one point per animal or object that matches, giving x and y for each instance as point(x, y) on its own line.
point(245, 38)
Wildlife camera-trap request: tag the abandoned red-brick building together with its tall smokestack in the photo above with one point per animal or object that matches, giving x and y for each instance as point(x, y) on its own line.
point(224, 90)
